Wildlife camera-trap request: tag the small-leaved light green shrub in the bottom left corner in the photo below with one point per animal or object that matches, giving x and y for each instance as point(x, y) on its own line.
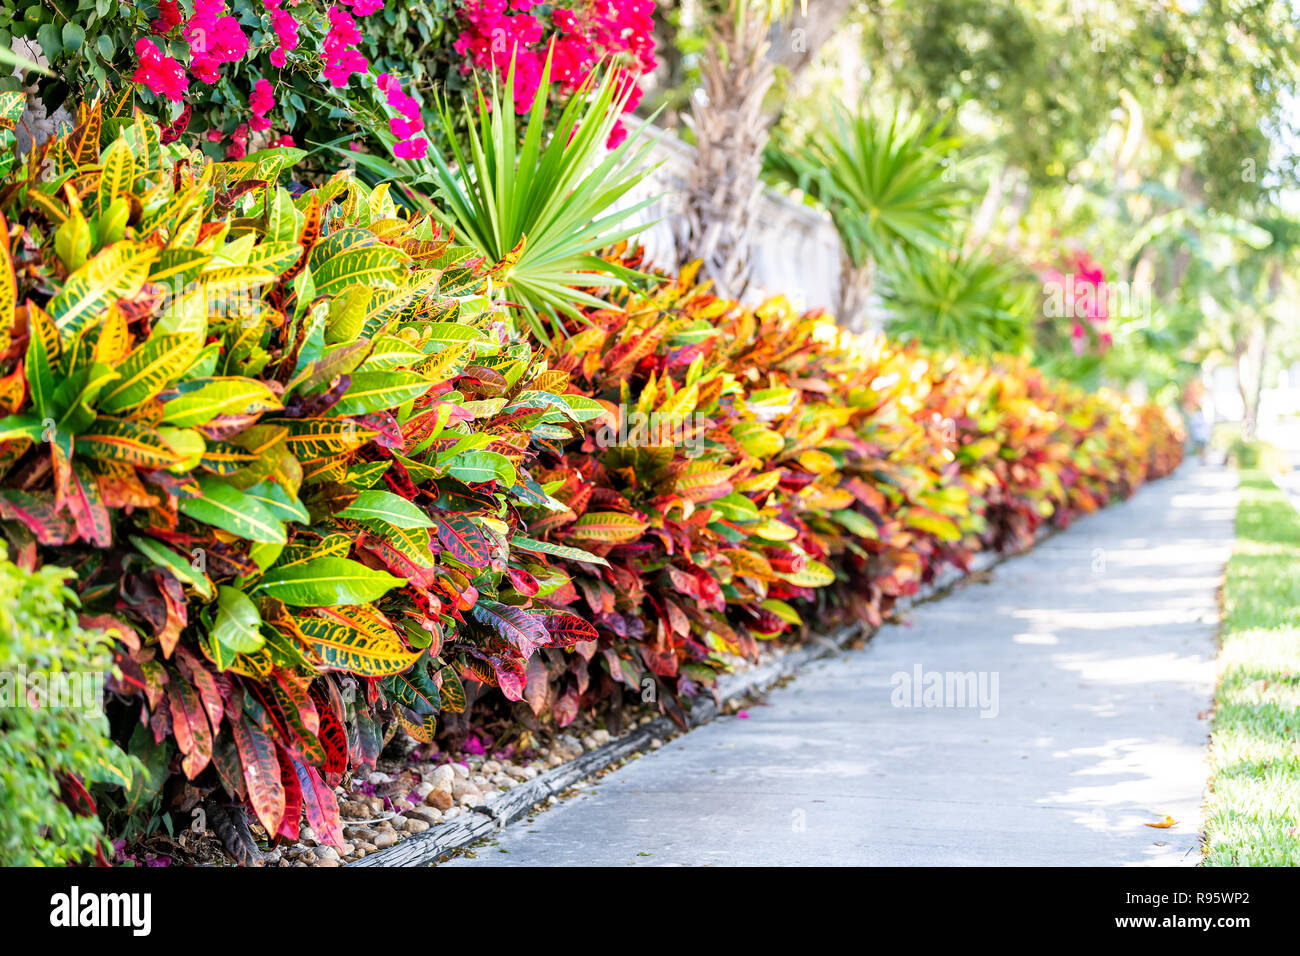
point(51, 752)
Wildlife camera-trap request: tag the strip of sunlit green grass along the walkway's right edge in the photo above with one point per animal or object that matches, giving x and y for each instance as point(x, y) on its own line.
point(1254, 808)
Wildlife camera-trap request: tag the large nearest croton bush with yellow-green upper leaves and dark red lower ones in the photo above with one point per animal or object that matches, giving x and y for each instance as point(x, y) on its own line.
point(284, 443)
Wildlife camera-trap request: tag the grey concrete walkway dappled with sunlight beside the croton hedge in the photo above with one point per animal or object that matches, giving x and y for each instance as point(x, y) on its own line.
point(1102, 642)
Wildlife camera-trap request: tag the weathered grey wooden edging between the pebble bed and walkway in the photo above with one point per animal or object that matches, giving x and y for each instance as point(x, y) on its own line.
point(448, 838)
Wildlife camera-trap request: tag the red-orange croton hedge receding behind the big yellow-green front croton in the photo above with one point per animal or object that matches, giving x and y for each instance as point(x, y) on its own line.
point(814, 470)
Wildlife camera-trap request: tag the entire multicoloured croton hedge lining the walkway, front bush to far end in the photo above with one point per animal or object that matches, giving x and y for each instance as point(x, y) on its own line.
point(317, 486)
